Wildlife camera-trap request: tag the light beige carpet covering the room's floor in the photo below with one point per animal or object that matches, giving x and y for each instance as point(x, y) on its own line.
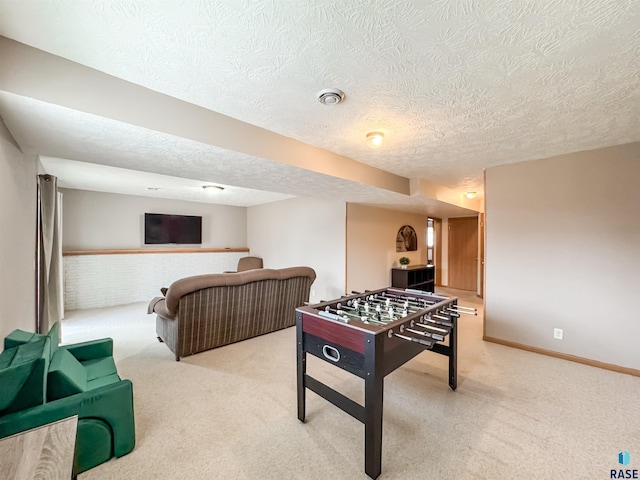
point(230, 413)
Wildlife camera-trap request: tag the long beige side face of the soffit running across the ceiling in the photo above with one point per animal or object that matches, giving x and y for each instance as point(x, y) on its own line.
point(80, 88)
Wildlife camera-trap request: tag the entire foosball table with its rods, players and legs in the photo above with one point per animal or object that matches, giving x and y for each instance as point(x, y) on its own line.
point(370, 335)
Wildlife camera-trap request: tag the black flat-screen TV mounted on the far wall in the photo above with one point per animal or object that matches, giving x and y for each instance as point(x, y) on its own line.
point(182, 229)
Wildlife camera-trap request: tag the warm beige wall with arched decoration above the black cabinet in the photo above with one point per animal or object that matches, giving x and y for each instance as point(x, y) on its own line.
point(371, 245)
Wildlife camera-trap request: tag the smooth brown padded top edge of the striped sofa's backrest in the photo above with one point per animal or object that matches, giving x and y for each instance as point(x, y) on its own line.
point(188, 285)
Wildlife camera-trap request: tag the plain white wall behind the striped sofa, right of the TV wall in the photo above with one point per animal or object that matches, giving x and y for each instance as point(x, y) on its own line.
point(302, 232)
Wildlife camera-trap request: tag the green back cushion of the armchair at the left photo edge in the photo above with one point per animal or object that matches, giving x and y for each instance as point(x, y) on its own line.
point(23, 375)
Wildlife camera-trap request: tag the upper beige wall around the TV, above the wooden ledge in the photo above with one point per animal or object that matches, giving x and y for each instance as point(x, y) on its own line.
point(95, 220)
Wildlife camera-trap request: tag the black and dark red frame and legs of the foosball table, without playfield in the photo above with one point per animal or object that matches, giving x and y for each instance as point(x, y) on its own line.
point(370, 352)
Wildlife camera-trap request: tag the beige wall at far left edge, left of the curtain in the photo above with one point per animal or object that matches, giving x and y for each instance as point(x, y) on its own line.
point(18, 179)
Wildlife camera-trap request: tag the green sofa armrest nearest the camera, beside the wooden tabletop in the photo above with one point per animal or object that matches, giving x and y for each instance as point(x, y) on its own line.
point(112, 404)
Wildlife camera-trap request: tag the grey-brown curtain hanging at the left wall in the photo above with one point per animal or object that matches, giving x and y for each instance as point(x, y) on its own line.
point(49, 255)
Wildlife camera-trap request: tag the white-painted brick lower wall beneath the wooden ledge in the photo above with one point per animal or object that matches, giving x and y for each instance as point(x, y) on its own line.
point(95, 281)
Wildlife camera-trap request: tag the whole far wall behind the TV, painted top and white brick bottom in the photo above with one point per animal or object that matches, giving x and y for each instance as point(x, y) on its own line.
point(95, 220)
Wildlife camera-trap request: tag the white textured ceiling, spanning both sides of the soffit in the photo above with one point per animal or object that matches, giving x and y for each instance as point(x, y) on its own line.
point(456, 86)
